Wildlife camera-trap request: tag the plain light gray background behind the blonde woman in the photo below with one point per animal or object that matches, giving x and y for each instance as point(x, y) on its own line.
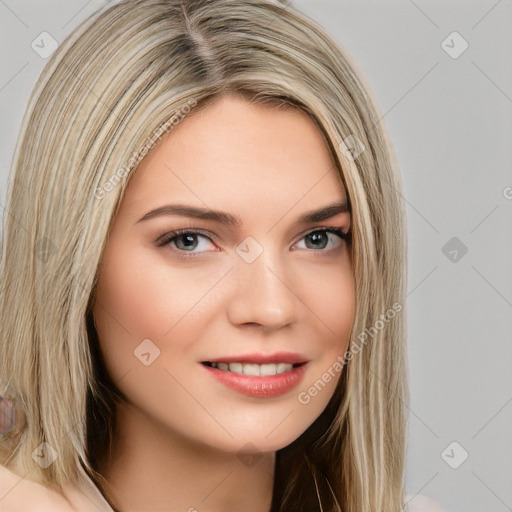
point(449, 117)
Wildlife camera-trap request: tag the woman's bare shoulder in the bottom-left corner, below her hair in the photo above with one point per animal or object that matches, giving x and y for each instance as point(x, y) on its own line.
point(20, 494)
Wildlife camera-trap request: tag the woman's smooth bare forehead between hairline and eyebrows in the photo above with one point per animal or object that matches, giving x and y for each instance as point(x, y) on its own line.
point(239, 154)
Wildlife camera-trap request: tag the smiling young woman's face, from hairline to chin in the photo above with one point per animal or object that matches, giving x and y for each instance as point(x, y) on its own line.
point(270, 284)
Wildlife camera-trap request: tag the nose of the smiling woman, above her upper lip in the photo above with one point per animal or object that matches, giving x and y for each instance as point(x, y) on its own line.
point(263, 295)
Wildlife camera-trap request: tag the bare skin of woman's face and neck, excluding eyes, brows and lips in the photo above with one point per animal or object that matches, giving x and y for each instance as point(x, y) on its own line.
point(178, 442)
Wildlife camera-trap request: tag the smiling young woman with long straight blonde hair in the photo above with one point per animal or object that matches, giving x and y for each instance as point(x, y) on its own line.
point(203, 274)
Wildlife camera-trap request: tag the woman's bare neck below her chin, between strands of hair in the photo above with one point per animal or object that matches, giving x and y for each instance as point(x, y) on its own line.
point(161, 470)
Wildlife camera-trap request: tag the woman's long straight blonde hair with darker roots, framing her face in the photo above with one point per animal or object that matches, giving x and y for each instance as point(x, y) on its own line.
point(127, 70)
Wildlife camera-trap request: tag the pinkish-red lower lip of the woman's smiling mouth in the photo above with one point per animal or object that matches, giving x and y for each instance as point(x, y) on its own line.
point(261, 387)
